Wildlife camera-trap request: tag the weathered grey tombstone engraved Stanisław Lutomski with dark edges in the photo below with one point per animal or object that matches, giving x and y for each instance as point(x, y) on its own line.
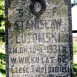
point(38, 38)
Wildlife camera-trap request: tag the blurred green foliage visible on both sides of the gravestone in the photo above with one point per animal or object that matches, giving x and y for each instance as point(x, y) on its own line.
point(2, 44)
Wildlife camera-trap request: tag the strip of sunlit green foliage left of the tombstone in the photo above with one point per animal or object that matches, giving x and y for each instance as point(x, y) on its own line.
point(2, 39)
